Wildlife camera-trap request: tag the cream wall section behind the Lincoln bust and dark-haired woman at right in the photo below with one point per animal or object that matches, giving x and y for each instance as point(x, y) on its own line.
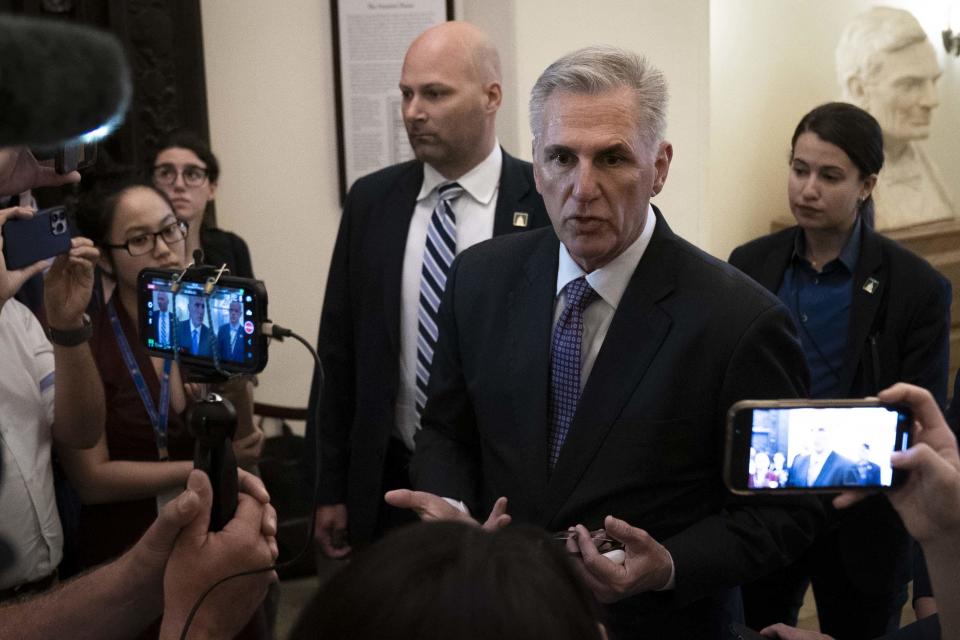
point(771, 62)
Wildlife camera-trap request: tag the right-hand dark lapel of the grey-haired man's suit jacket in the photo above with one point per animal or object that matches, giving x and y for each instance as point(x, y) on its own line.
point(636, 334)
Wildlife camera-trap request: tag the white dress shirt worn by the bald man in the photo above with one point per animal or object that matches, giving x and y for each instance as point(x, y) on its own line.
point(474, 211)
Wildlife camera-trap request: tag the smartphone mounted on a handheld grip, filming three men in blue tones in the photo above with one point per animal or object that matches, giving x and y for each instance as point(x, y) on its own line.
point(186, 318)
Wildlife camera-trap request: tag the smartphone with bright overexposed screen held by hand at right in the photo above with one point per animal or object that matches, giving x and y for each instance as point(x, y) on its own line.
point(805, 446)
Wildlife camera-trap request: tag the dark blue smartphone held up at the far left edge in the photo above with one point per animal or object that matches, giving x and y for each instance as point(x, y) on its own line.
point(28, 240)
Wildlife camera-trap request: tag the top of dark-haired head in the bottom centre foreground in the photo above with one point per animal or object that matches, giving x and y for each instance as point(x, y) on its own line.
point(451, 580)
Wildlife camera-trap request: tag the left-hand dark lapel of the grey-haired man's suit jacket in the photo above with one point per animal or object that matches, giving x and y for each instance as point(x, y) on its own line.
point(529, 322)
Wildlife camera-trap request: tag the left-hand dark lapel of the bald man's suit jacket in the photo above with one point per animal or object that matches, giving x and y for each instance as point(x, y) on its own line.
point(391, 240)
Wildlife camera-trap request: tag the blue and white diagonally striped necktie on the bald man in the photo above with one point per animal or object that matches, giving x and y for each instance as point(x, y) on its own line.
point(438, 254)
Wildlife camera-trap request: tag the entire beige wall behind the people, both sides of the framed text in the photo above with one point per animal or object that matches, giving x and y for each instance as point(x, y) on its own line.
point(741, 72)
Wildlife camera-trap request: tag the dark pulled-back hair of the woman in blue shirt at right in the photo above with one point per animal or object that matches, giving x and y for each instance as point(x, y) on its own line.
point(855, 132)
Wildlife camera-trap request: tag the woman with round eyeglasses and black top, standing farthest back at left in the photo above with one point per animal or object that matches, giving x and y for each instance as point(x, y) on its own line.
point(187, 171)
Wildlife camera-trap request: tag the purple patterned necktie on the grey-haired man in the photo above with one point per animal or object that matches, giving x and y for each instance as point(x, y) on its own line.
point(565, 363)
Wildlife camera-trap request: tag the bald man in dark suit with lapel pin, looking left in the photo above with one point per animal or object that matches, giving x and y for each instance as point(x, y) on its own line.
point(370, 325)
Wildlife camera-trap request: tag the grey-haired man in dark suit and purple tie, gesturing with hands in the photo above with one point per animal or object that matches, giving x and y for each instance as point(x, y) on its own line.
point(589, 377)
